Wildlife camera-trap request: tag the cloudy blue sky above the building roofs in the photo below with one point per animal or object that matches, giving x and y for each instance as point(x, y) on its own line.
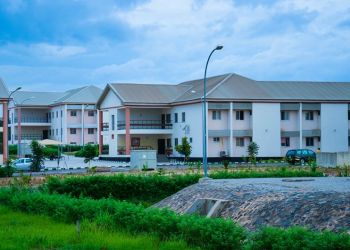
point(48, 45)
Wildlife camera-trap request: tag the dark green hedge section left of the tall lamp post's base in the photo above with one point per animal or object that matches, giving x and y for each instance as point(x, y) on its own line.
point(122, 187)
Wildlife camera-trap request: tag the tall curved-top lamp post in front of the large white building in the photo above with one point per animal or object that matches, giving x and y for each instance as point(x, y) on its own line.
point(205, 163)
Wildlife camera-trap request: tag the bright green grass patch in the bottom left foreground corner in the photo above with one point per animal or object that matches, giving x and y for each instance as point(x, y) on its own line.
point(25, 231)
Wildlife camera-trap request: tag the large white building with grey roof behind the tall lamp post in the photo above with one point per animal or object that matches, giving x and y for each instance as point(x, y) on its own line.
point(278, 116)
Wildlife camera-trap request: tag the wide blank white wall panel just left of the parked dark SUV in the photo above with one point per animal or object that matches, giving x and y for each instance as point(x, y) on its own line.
point(267, 128)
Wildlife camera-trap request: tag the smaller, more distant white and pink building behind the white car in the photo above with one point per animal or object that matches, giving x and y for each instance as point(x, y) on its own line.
point(68, 116)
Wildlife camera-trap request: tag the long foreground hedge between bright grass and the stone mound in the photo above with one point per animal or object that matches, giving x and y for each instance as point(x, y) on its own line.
point(202, 232)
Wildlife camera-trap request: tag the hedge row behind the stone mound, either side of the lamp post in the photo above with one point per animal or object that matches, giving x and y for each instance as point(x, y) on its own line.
point(151, 187)
